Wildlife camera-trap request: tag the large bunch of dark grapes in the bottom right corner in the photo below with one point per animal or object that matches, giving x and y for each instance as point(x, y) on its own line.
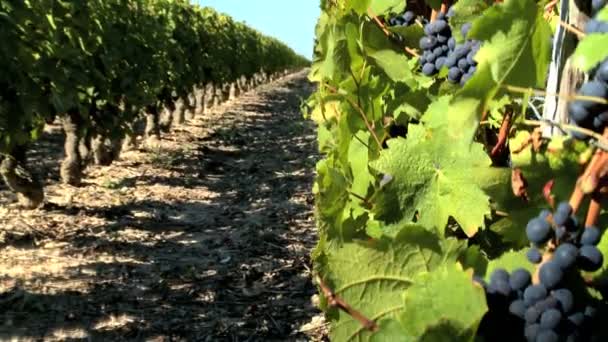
point(548, 310)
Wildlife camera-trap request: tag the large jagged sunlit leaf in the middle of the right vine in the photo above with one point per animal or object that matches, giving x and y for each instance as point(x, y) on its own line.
point(435, 175)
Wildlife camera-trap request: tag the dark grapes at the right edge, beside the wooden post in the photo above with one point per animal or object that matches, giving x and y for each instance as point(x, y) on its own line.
point(591, 114)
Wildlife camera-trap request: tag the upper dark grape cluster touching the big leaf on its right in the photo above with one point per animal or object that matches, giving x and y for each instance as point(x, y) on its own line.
point(460, 61)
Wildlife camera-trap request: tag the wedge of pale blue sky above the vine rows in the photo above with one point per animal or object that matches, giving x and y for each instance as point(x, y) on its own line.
point(291, 21)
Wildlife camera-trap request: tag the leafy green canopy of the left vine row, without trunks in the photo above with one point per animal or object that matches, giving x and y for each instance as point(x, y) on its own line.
point(99, 56)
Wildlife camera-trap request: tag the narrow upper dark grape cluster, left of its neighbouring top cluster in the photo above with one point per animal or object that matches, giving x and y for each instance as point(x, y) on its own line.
point(434, 44)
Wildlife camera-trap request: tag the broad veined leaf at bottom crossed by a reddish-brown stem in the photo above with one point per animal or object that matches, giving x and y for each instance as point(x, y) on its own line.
point(372, 277)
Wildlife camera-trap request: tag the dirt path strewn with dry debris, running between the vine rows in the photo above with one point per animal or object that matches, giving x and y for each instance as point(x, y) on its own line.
point(205, 239)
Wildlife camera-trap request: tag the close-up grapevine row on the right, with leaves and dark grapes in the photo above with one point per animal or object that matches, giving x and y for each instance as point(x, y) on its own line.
point(444, 213)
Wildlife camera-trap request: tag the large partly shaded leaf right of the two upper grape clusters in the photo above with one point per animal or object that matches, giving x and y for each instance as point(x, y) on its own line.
point(515, 51)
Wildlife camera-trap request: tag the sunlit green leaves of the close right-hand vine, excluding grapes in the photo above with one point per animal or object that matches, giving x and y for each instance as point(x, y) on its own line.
point(409, 200)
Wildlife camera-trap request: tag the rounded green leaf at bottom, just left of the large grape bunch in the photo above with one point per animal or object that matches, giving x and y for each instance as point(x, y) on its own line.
point(436, 302)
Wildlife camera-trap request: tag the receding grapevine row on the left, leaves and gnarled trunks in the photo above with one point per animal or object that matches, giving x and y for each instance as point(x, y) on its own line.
point(102, 66)
